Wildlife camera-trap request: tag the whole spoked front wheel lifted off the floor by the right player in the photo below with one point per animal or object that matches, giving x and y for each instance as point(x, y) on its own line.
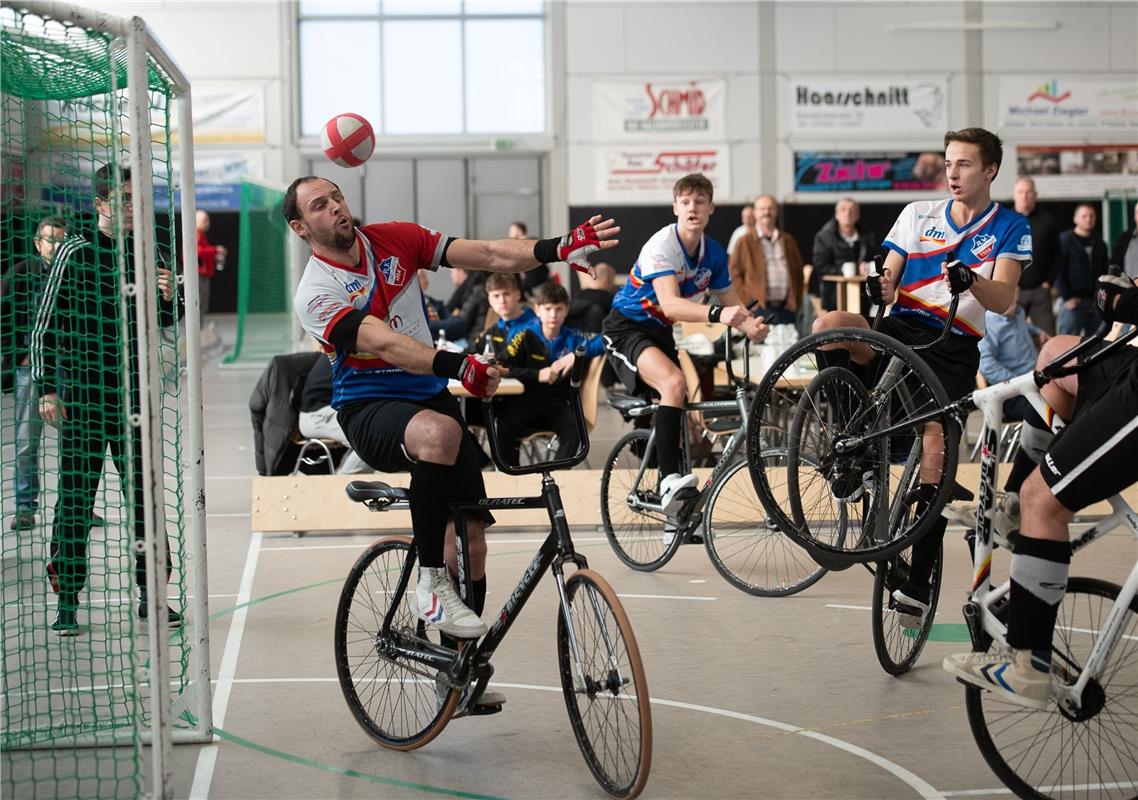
point(852, 506)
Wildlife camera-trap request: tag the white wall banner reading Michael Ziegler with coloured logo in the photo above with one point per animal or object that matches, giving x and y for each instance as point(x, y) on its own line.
point(1060, 105)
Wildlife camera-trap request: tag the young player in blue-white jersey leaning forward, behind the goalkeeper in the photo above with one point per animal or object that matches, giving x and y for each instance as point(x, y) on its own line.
point(677, 265)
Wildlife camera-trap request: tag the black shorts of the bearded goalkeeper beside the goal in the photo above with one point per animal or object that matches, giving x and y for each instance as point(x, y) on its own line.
point(375, 430)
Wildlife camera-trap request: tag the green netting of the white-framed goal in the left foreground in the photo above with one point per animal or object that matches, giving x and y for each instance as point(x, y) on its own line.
point(76, 653)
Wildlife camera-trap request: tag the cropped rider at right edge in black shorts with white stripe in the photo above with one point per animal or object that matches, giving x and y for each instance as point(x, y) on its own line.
point(1091, 460)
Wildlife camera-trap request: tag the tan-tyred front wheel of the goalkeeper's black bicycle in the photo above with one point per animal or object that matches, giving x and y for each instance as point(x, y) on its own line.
point(605, 688)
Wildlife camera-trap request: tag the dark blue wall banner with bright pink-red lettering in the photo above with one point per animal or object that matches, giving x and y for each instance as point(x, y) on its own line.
point(870, 171)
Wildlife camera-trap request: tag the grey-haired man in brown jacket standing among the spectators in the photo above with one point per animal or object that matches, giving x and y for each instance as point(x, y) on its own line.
point(768, 267)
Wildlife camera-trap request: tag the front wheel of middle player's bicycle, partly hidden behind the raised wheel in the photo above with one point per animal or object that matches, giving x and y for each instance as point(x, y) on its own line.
point(746, 548)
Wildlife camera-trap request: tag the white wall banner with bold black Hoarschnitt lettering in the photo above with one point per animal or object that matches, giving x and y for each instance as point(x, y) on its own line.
point(870, 106)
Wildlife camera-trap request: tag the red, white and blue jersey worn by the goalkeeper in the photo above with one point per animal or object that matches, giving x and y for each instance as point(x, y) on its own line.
point(385, 285)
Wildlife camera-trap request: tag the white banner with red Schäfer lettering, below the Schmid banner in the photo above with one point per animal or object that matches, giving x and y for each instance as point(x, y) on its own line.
point(646, 174)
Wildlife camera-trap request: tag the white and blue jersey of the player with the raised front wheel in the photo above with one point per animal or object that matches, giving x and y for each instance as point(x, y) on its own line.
point(926, 236)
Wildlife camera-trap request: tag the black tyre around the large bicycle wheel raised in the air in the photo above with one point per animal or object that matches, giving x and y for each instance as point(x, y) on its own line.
point(779, 394)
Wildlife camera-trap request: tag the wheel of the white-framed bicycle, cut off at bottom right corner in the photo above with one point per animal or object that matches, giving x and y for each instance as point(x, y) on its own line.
point(1050, 754)
